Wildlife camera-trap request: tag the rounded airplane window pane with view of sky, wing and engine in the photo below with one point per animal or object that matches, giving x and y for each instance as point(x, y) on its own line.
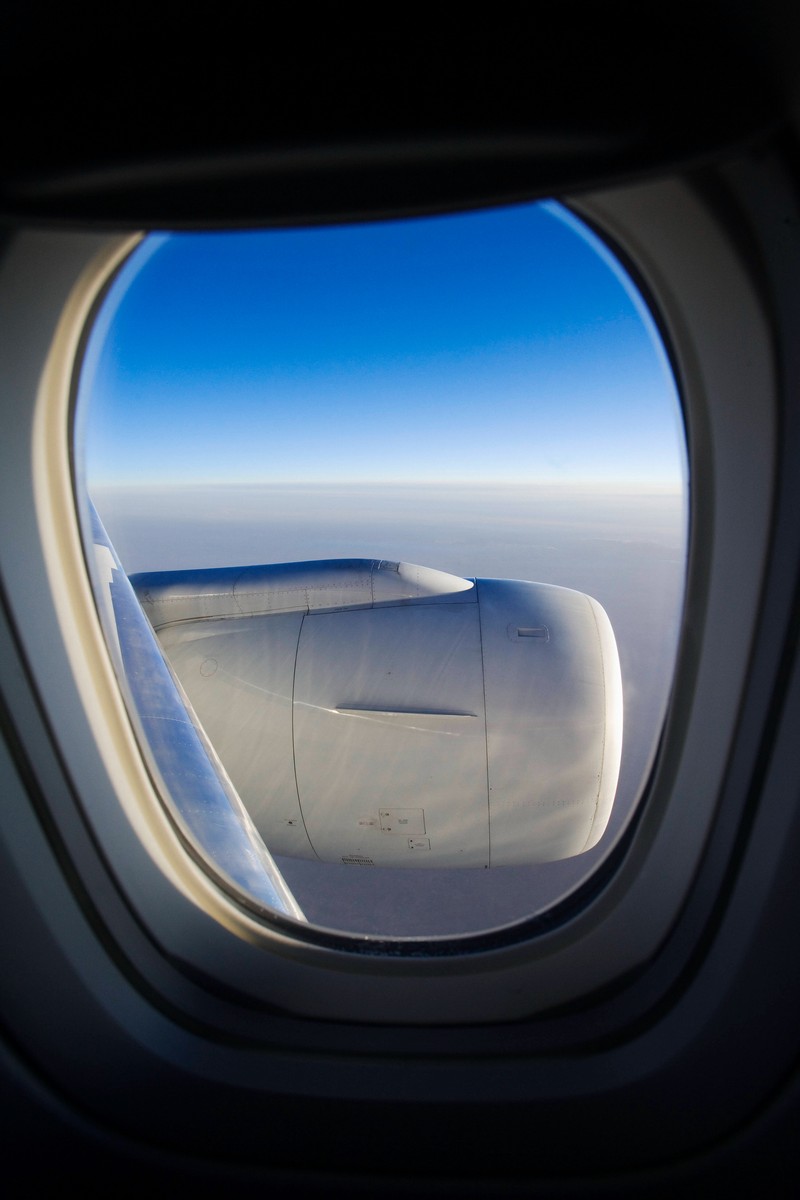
point(405, 505)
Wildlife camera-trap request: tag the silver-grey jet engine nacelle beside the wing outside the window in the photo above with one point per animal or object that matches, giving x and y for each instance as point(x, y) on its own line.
point(387, 715)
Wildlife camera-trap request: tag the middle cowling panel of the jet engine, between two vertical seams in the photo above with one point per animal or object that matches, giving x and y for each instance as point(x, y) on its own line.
point(390, 736)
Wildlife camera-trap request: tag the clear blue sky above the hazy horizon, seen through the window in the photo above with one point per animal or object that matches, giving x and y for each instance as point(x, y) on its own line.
point(504, 346)
